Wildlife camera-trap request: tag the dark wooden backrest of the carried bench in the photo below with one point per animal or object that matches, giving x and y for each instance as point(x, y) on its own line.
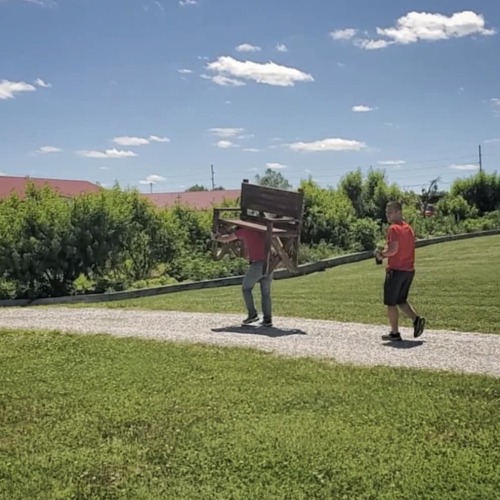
point(278, 202)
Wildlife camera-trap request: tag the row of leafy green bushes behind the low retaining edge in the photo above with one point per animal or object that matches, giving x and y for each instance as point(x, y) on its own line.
point(116, 239)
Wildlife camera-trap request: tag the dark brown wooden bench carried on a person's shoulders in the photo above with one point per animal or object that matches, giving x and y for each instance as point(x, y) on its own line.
point(275, 212)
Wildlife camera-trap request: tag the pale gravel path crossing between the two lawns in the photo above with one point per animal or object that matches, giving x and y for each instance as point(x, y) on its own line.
point(343, 342)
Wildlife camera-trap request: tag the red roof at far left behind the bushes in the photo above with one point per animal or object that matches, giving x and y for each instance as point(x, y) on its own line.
point(68, 188)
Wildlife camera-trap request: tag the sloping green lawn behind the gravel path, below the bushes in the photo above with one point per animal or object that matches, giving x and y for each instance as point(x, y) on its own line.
point(457, 287)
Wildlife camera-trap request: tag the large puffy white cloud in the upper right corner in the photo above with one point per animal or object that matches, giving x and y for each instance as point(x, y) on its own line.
point(425, 26)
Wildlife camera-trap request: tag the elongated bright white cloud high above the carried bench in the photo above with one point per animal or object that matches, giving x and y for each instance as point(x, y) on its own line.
point(269, 73)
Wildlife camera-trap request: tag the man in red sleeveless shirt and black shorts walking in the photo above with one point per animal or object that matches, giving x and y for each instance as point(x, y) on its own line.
point(400, 253)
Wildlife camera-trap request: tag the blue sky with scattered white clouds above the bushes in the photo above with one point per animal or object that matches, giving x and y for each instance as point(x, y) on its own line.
point(144, 91)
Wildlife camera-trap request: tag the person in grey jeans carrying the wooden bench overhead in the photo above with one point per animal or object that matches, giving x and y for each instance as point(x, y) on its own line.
point(255, 244)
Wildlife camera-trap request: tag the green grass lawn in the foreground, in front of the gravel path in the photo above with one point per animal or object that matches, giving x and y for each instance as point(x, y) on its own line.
point(106, 418)
